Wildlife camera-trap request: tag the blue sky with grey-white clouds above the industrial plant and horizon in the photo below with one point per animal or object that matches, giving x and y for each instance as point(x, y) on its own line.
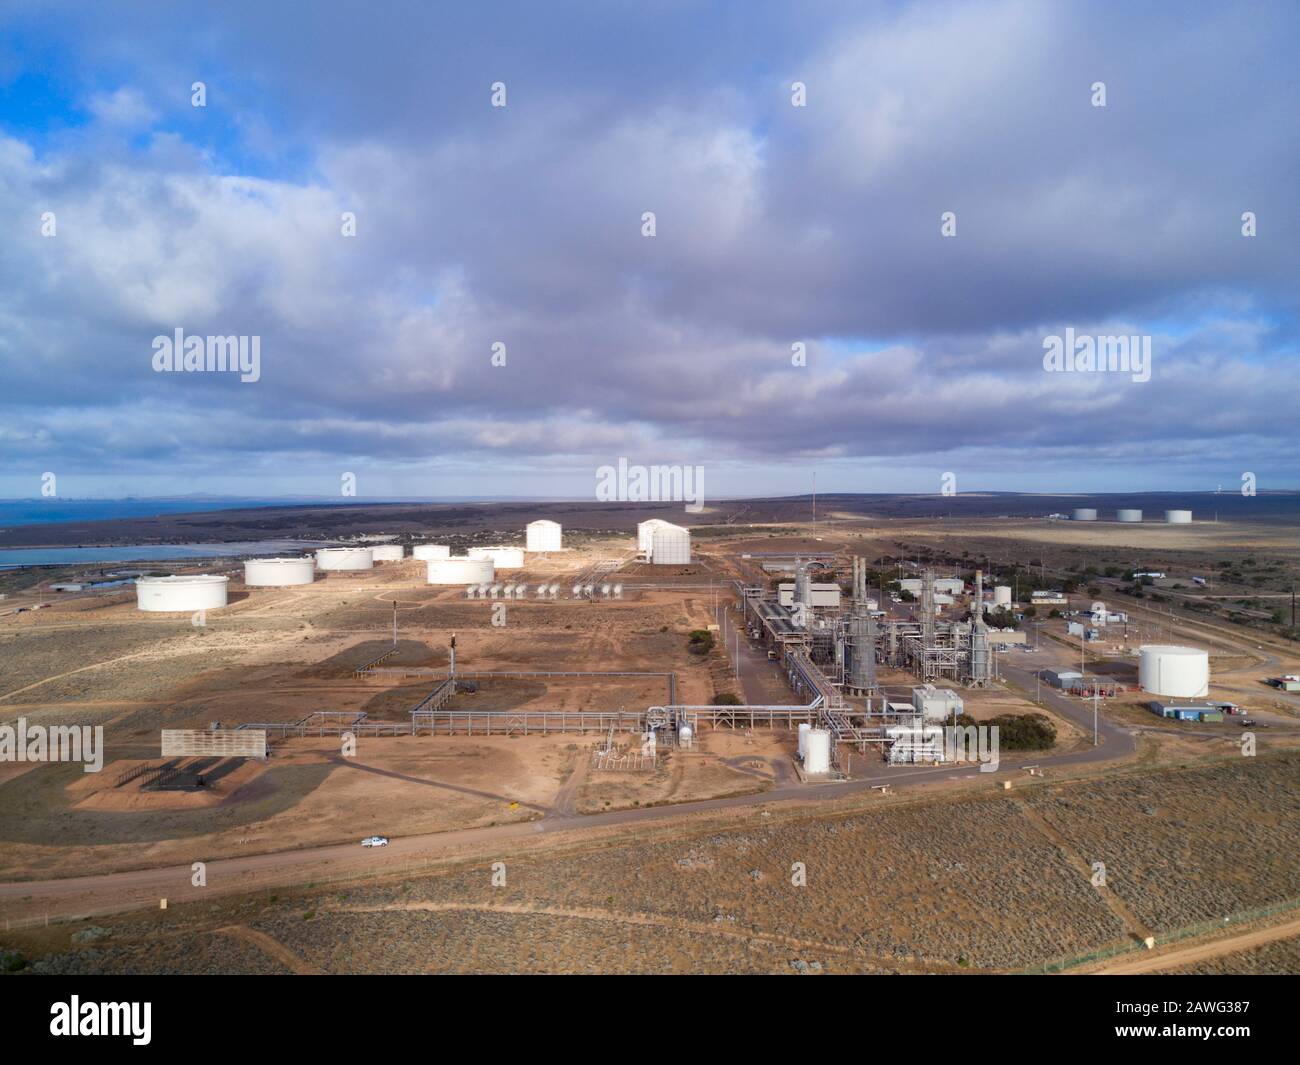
point(523, 226)
